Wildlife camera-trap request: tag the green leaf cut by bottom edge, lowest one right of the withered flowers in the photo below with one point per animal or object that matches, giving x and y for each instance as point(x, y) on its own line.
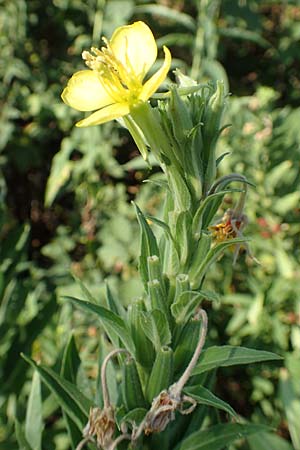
point(218, 436)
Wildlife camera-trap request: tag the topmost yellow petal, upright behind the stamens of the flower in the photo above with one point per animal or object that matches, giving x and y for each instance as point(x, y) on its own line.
point(134, 45)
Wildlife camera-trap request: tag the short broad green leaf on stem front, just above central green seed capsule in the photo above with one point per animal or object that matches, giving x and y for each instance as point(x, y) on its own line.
point(156, 328)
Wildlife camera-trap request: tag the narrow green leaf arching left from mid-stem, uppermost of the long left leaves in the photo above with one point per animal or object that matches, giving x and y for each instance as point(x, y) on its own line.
point(109, 320)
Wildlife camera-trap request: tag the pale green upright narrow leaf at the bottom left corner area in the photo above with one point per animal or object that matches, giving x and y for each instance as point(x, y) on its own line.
point(34, 421)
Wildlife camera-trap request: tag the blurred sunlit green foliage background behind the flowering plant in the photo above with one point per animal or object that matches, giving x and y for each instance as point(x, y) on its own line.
point(65, 194)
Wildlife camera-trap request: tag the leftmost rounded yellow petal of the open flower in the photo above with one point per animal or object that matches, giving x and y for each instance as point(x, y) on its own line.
point(85, 92)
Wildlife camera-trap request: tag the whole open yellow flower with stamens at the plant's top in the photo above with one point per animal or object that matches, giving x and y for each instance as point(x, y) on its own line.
point(115, 82)
